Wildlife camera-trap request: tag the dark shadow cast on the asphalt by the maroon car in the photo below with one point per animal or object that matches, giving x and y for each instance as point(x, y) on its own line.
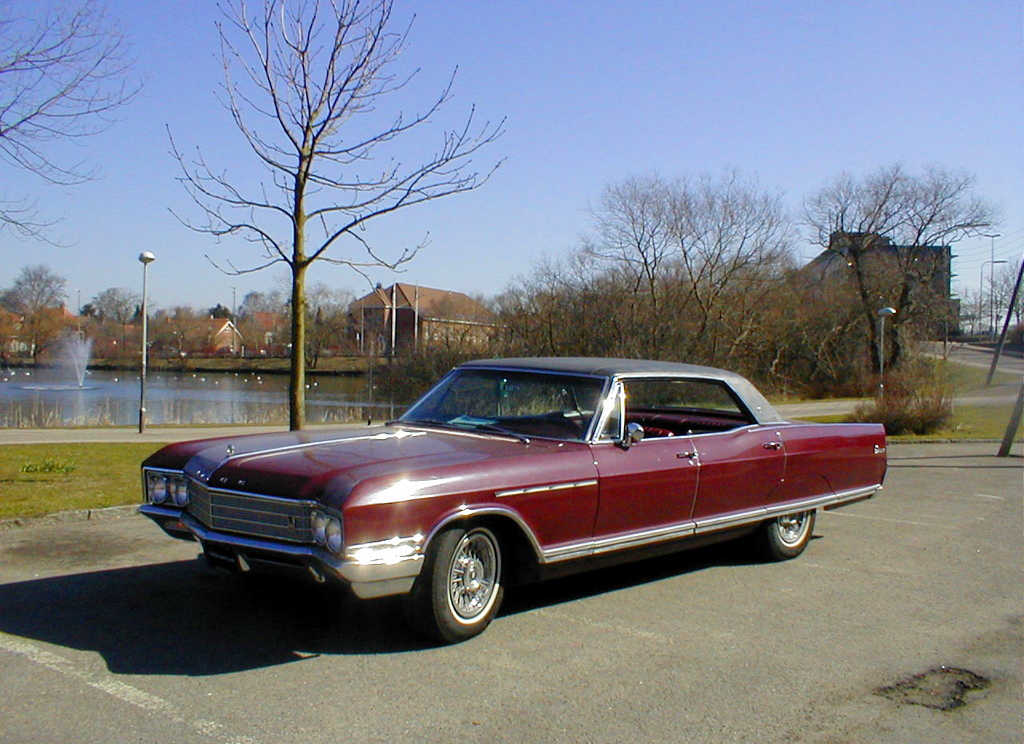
point(182, 619)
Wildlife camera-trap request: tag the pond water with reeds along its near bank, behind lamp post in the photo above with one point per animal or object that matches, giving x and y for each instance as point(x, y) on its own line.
point(29, 399)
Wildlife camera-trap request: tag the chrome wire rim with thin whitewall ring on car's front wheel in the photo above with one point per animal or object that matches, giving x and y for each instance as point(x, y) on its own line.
point(474, 577)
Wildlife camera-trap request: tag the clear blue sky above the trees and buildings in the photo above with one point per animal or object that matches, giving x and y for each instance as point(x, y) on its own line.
point(793, 92)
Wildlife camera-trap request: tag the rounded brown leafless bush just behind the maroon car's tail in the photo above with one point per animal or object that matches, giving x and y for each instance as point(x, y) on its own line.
point(916, 401)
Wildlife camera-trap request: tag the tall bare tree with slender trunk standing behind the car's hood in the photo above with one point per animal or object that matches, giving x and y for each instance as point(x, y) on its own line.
point(305, 84)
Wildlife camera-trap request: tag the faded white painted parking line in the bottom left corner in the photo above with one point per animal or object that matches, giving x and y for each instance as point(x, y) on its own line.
point(121, 691)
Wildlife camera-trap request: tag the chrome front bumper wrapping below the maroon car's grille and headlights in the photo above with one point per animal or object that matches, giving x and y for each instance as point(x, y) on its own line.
point(367, 576)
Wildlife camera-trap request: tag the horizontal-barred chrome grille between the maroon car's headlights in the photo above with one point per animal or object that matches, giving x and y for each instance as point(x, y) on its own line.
point(280, 519)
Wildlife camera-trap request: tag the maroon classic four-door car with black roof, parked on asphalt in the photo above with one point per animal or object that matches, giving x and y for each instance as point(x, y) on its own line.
point(510, 471)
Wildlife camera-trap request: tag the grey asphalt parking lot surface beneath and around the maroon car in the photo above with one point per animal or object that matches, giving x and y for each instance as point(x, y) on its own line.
point(903, 606)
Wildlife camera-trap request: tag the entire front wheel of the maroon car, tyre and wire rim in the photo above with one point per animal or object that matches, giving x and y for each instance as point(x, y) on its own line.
point(460, 588)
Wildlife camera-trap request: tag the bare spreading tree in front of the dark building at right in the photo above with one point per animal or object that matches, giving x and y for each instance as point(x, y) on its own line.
point(883, 228)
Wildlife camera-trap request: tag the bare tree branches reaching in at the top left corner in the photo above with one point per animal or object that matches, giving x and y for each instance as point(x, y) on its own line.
point(64, 74)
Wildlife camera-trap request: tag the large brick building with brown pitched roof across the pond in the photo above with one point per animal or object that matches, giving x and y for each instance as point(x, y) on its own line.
point(403, 317)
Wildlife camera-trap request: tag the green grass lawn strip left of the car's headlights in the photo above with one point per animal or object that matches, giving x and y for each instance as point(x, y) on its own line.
point(37, 479)
